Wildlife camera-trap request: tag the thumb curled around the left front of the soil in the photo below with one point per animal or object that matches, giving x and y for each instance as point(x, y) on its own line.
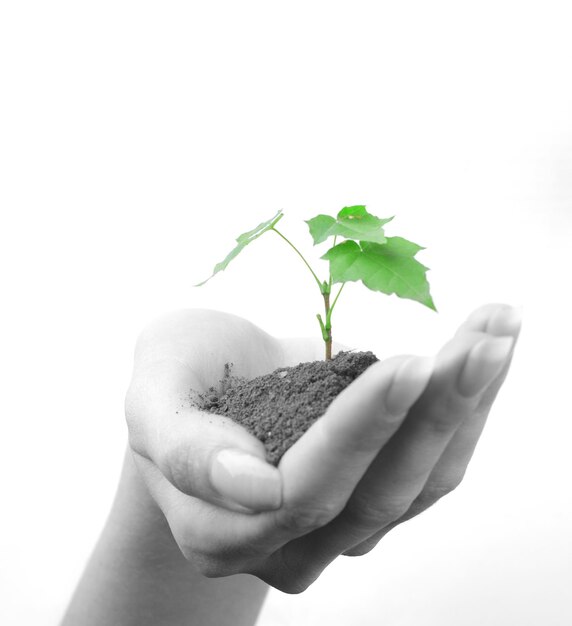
point(202, 455)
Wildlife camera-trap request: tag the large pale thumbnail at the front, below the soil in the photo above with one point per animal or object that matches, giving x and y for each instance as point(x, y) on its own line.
point(246, 480)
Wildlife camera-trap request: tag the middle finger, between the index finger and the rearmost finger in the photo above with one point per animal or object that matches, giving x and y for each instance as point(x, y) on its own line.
point(396, 477)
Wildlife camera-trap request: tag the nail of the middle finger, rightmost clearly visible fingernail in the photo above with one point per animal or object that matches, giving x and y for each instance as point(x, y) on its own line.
point(483, 364)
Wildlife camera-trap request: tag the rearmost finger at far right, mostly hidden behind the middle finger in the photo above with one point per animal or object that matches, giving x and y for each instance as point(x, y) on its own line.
point(495, 320)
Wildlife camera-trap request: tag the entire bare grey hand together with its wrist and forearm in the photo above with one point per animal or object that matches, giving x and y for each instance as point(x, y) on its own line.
point(201, 524)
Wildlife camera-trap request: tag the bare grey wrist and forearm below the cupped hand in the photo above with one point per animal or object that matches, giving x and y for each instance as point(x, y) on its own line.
point(137, 574)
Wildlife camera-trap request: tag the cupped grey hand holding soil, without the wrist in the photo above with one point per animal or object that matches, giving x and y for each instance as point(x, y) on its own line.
point(390, 445)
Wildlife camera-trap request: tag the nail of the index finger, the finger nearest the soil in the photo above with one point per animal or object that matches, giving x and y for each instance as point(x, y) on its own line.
point(408, 384)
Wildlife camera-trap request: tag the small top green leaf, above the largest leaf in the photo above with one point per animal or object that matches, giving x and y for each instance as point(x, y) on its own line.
point(352, 222)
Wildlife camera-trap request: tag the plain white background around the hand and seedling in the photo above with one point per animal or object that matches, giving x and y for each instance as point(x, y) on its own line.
point(137, 139)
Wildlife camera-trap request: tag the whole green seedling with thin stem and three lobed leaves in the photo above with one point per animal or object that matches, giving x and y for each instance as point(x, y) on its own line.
point(384, 264)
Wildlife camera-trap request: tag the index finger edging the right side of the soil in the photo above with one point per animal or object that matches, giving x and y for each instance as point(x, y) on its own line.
point(322, 469)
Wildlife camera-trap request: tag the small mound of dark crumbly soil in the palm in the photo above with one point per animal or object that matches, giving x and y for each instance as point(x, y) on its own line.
point(279, 407)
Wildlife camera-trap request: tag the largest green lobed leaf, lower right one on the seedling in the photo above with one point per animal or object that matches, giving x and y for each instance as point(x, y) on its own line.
point(389, 268)
